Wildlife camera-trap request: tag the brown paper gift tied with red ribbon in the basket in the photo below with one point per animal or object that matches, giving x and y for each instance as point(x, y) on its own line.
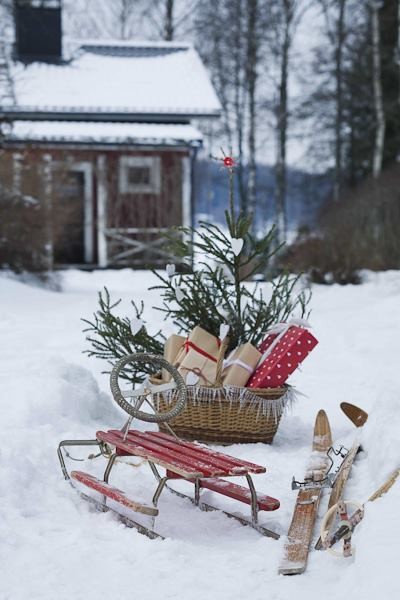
point(199, 357)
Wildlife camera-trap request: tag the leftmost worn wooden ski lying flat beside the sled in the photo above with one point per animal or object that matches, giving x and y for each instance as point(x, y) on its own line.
point(305, 512)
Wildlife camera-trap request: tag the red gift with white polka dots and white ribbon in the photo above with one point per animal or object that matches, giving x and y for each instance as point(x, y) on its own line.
point(286, 345)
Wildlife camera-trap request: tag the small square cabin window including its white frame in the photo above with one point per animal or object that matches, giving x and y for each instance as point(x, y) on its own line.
point(139, 174)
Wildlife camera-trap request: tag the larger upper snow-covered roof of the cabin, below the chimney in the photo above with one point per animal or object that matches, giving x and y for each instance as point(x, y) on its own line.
point(116, 78)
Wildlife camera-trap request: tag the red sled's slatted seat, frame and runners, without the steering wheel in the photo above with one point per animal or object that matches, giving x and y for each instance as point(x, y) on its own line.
point(182, 460)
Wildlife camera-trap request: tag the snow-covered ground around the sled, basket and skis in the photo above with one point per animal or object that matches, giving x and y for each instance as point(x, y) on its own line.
point(53, 546)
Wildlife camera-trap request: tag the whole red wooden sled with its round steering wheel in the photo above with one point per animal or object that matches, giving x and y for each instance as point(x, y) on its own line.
point(187, 461)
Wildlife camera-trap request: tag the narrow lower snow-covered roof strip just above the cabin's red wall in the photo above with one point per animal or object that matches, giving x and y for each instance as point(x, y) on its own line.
point(104, 133)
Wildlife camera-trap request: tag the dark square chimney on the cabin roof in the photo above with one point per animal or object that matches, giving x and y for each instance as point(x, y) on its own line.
point(38, 30)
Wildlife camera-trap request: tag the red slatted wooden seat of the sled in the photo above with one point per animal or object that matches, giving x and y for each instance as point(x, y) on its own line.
point(187, 459)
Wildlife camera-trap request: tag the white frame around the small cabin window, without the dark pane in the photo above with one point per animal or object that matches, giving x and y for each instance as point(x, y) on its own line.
point(152, 162)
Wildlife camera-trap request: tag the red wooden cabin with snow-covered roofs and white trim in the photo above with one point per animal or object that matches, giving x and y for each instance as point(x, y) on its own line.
point(105, 138)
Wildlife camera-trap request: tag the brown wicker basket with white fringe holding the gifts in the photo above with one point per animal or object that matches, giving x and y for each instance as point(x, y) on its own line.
point(226, 414)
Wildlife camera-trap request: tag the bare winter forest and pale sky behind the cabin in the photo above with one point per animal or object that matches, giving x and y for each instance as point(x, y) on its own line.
point(310, 88)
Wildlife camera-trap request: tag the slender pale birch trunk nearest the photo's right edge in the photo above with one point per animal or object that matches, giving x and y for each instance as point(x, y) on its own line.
point(378, 94)
